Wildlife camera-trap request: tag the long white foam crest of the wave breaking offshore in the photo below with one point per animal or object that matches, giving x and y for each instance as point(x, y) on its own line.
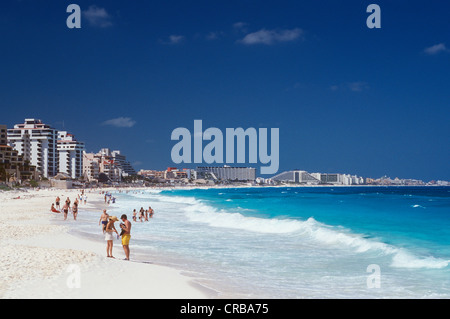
point(310, 229)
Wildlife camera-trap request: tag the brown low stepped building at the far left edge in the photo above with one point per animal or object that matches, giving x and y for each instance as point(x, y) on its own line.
point(13, 168)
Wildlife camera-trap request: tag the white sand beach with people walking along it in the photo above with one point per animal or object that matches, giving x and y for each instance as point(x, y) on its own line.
point(42, 260)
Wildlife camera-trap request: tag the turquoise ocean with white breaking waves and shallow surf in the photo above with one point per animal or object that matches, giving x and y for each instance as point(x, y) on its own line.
point(296, 242)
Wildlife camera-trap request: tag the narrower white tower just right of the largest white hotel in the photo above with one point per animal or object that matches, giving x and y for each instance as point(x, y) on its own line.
point(70, 155)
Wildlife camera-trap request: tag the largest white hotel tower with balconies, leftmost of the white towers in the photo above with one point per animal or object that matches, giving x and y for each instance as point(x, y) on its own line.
point(37, 143)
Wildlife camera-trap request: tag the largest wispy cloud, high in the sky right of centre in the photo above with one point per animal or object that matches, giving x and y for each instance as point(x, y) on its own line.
point(269, 37)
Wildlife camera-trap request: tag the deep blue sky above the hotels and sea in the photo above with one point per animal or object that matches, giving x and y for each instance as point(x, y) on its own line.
point(346, 98)
